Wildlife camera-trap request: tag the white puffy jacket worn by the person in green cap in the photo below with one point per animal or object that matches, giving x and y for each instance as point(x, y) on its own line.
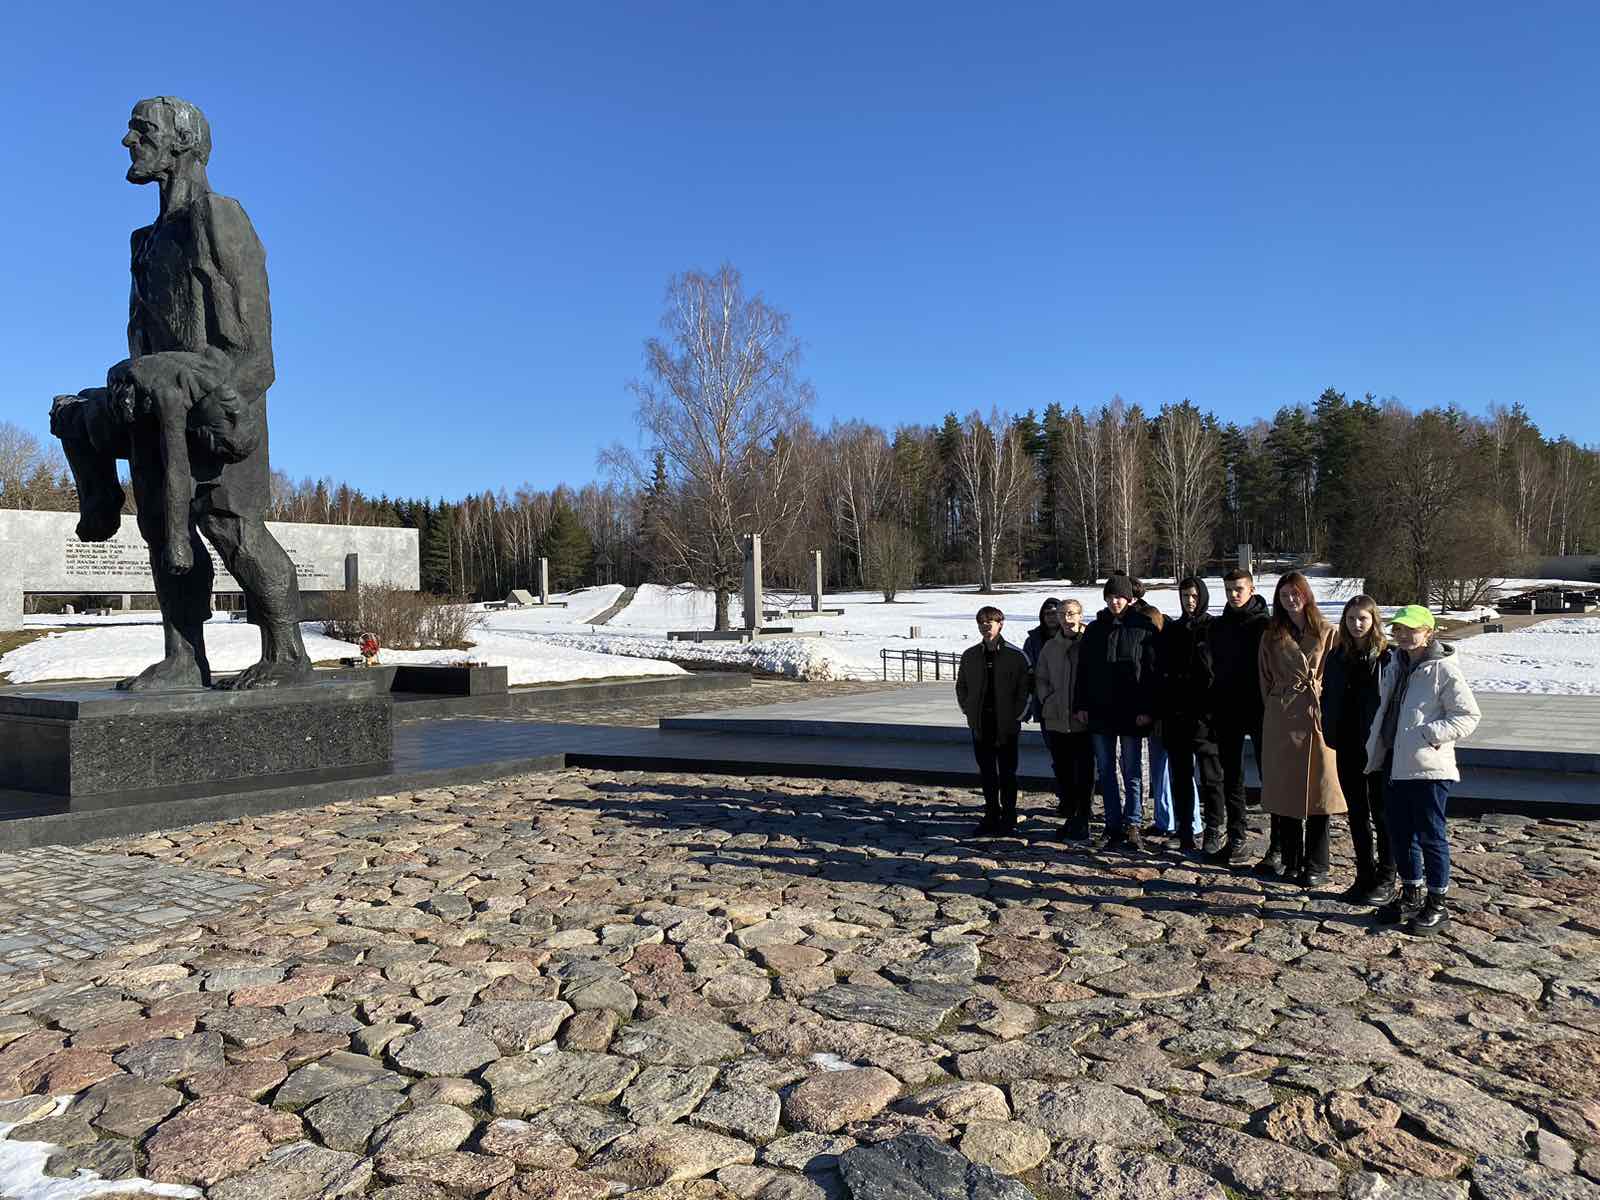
point(1436, 711)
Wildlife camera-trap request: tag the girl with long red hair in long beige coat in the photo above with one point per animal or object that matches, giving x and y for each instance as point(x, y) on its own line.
point(1300, 772)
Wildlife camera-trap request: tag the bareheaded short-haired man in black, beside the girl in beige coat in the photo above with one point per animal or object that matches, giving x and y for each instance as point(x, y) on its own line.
point(1236, 702)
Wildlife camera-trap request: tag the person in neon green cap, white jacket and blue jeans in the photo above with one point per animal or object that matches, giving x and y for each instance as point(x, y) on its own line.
point(1426, 708)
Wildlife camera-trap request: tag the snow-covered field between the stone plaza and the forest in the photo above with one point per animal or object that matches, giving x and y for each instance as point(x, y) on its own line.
point(562, 644)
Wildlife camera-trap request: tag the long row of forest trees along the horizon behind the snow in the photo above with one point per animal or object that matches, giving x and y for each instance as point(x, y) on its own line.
point(1420, 500)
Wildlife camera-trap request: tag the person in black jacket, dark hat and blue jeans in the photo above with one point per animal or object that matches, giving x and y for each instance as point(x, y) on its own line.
point(1118, 698)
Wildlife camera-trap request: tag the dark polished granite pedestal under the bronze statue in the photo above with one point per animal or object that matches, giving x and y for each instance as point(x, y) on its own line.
point(106, 748)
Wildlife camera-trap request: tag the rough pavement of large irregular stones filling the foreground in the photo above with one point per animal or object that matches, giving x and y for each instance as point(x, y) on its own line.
point(775, 990)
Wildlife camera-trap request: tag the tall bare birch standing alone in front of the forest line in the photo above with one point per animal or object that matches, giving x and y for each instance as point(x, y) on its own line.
point(721, 402)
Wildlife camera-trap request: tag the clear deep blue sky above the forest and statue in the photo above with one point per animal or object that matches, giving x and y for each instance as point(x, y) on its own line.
point(471, 215)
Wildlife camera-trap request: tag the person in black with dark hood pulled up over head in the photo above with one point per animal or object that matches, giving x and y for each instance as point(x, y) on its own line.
point(1186, 719)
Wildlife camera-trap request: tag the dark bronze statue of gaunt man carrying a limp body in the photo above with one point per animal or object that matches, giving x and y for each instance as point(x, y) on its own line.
point(188, 409)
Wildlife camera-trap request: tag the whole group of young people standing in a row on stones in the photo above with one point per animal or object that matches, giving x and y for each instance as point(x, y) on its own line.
point(1343, 719)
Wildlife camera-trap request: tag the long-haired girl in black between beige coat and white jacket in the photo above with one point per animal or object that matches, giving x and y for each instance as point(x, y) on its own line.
point(1350, 706)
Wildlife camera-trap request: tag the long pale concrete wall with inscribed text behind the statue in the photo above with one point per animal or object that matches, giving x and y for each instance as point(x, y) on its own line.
point(46, 553)
